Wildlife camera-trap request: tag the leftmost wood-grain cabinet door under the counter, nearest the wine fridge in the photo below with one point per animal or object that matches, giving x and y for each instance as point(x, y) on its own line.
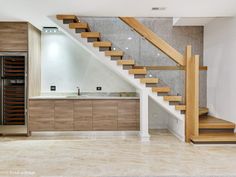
point(41, 115)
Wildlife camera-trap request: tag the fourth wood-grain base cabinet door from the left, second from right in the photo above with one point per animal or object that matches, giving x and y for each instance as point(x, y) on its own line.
point(105, 115)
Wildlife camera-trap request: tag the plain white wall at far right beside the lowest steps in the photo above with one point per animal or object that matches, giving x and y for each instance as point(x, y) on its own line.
point(220, 57)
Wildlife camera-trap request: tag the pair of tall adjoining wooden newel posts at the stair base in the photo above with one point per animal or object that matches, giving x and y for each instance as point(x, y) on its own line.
point(191, 94)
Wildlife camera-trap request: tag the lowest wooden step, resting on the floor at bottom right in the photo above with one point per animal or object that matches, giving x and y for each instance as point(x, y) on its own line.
point(214, 138)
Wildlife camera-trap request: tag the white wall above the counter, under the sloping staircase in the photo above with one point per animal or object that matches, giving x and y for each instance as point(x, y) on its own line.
point(67, 65)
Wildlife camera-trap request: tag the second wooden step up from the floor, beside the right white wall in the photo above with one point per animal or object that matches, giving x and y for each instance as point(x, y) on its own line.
point(210, 122)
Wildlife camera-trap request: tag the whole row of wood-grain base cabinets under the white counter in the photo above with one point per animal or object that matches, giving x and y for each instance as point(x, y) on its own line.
point(83, 115)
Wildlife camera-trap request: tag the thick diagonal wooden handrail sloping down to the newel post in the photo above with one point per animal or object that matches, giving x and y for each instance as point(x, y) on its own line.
point(154, 39)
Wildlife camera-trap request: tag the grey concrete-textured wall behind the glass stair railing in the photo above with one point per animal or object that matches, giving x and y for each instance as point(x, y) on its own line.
point(144, 53)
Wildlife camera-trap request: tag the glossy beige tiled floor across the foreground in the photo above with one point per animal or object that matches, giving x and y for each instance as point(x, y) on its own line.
point(112, 156)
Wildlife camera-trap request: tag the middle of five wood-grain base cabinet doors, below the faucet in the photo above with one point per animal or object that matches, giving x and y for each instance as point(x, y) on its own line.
point(83, 115)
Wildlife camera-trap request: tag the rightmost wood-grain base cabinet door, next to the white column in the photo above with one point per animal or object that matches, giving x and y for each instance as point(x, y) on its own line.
point(127, 115)
